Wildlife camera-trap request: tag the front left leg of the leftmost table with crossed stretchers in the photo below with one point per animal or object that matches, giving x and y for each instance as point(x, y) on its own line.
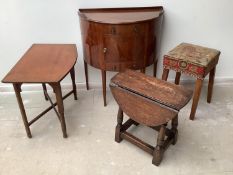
point(17, 88)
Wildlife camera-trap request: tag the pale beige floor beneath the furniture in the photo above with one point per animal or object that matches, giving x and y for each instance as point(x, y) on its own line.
point(204, 147)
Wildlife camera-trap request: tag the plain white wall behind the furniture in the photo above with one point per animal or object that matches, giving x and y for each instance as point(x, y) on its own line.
point(204, 22)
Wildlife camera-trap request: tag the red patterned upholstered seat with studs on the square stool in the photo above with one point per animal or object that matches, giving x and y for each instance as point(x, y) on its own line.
point(191, 59)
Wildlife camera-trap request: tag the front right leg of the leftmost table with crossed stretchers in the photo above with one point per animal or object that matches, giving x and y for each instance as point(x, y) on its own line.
point(58, 92)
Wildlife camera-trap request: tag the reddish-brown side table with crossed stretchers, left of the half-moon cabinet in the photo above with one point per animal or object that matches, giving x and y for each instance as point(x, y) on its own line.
point(45, 64)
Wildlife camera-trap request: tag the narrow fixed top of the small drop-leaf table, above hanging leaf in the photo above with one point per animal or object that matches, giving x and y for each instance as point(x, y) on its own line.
point(164, 93)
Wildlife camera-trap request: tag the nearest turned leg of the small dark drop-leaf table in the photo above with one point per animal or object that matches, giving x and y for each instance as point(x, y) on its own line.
point(159, 150)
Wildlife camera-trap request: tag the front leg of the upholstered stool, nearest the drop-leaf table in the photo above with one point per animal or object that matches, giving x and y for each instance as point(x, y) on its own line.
point(196, 97)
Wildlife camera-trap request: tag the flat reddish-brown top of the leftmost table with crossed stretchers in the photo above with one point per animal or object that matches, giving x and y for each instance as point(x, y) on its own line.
point(43, 63)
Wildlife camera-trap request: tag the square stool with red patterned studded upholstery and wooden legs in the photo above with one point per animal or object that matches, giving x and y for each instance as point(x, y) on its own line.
point(196, 61)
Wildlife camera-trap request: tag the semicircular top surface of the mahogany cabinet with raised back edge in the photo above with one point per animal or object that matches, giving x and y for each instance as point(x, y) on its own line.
point(121, 15)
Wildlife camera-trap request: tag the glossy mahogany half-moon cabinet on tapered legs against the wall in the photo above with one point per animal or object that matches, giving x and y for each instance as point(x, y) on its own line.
point(118, 38)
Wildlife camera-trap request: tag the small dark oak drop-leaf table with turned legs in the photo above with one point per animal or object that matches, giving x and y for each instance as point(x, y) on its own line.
point(151, 102)
